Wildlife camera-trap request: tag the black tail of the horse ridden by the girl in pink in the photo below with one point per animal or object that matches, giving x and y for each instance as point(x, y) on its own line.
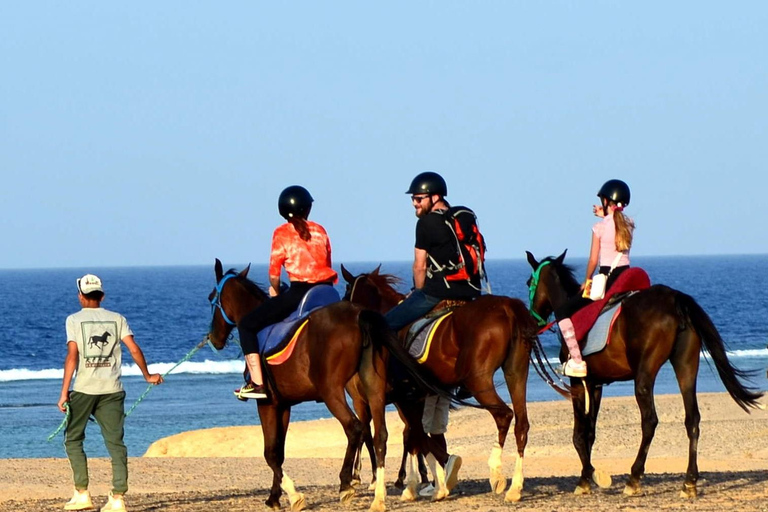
point(698, 319)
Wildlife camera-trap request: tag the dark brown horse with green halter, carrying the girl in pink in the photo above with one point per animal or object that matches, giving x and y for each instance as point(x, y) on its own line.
point(655, 325)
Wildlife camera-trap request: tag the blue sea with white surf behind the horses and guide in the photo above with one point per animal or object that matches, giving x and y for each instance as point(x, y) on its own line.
point(168, 311)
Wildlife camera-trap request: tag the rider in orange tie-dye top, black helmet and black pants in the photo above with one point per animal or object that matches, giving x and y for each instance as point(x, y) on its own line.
point(304, 249)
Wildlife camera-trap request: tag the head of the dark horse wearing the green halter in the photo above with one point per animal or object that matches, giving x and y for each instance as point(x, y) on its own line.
point(551, 282)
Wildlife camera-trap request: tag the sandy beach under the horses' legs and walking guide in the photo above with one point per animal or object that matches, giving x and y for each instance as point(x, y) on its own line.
point(222, 469)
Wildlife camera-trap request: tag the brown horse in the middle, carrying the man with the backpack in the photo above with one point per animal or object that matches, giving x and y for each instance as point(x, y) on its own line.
point(486, 334)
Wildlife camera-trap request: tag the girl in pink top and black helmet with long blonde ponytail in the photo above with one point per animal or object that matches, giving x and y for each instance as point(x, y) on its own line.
point(611, 242)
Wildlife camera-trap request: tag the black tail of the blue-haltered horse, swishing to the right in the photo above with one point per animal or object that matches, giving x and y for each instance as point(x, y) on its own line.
point(377, 333)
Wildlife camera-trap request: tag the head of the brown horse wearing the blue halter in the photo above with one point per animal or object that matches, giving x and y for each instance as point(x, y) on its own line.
point(232, 297)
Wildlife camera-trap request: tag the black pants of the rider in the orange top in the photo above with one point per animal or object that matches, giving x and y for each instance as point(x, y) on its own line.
point(270, 312)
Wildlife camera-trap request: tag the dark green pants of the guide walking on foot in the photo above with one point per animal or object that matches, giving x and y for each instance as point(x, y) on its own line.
point(110, 415)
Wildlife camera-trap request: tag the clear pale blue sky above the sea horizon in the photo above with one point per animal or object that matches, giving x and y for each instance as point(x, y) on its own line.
point(161, 133)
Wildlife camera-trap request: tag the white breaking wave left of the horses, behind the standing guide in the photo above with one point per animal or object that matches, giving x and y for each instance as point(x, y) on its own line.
point(202, 367)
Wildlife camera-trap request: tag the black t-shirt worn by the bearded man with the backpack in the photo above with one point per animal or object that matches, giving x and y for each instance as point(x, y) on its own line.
point(434, 236)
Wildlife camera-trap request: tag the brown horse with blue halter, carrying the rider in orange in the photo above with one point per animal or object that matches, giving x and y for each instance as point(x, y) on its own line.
point(339, 342)
